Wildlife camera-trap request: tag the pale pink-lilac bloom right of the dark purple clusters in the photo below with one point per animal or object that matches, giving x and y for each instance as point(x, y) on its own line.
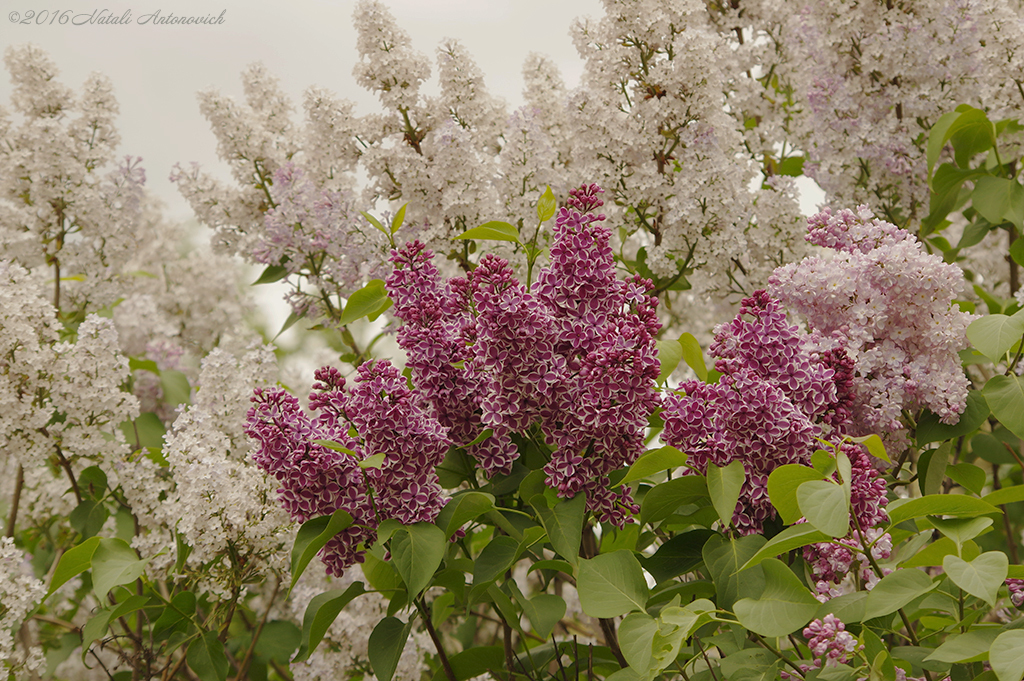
point(889, 306)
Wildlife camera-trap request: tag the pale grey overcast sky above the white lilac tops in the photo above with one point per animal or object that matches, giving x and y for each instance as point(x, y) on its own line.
point(157, 70)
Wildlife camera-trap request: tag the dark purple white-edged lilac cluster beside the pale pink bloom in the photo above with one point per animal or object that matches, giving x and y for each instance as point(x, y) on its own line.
point(774, 398)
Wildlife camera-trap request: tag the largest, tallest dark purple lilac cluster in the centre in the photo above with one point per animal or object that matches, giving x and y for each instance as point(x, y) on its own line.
point(576, 354)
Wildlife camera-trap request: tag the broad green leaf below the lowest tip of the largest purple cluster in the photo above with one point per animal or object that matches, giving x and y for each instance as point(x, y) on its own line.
point(612, 584)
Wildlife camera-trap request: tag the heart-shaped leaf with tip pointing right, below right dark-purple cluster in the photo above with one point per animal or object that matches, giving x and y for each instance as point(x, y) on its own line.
point(785, 607)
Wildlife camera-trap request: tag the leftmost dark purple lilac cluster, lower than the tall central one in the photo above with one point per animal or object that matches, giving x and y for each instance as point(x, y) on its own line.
point(317, 481)
